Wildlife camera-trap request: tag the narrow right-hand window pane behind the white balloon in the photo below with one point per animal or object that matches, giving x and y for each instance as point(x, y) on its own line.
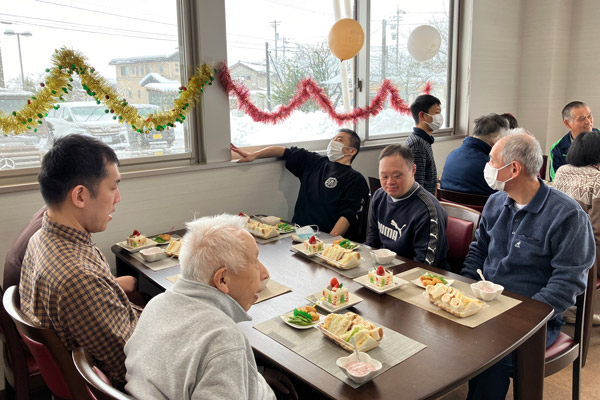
point(390, 26)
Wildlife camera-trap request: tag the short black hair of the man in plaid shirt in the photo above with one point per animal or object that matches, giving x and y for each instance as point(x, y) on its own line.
point(74, 160)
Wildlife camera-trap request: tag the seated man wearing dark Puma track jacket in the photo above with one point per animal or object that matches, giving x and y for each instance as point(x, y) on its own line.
point(405, 217)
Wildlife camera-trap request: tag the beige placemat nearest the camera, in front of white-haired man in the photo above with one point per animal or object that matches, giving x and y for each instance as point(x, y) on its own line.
point(312, 345)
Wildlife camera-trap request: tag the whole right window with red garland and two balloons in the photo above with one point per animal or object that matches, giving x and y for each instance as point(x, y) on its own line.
point(273, 41)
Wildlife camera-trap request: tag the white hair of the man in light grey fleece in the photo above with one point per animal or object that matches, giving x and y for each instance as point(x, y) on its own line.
point(212, 243)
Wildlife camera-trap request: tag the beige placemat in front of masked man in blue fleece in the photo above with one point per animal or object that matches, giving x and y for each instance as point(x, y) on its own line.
point(414, 295)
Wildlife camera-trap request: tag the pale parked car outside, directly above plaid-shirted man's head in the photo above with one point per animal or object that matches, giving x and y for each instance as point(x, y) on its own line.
point(86, 117)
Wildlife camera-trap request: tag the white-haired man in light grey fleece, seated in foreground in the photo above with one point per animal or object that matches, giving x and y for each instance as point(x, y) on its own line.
point(187, 344)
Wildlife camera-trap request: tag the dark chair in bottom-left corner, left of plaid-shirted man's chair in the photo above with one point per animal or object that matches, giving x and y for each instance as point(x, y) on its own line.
point(21, 371)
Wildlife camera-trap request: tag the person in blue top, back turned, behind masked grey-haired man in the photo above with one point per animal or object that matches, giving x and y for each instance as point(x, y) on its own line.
point(463, 171)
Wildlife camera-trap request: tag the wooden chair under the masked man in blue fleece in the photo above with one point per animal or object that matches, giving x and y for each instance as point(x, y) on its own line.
point(567, 350)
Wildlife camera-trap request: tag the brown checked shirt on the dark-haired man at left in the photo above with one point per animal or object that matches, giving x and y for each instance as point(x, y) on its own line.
point(66, 285)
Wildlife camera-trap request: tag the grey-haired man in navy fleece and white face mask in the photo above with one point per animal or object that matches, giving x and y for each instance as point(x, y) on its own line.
point(532, 239)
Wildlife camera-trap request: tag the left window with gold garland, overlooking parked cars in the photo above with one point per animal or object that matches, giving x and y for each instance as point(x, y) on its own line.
point(134, 35)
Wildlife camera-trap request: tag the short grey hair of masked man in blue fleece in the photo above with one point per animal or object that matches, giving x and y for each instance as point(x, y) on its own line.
point(524, 149)
